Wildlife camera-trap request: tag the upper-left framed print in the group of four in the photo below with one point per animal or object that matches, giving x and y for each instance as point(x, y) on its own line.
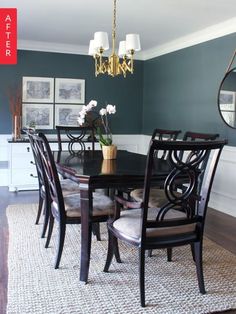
point(37, 89)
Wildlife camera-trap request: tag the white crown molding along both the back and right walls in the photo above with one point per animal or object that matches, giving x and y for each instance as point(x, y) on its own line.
point(209, 33)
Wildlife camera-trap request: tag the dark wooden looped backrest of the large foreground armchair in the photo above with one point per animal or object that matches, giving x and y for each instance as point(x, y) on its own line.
point(191, 168)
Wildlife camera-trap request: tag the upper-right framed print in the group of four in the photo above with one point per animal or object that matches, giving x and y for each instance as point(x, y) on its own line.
point(70, 91)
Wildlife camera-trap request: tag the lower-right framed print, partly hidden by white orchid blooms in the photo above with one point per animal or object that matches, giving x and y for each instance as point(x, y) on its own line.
point(67, 115)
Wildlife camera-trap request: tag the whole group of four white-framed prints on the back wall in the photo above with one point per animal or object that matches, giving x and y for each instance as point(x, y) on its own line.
point(47, 101)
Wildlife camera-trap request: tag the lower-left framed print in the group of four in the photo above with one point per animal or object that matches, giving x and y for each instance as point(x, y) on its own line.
point(41, 115)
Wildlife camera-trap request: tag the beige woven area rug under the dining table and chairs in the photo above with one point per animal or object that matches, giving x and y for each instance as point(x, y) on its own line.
point(36, 287)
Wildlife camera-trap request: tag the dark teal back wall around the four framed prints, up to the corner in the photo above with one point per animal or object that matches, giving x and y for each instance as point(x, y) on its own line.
point(126, 94)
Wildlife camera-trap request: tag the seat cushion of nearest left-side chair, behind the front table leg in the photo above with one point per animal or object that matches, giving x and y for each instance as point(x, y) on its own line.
point(102, 205)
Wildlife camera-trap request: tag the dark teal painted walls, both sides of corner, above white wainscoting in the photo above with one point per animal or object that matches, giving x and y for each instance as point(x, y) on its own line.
point(177, 90)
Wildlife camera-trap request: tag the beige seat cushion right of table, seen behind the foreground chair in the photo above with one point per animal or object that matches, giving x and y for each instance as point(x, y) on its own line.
point(157, 197)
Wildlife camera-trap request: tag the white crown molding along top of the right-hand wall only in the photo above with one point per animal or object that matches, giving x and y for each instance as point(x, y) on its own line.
point(209, 33)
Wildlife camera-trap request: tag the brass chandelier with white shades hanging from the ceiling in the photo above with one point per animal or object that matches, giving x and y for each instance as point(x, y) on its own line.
point(113, 65)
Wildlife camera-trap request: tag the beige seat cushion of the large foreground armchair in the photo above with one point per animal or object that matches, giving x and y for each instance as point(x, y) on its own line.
point(129, 224)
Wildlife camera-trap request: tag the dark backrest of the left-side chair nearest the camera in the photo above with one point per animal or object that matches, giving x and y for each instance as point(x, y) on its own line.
point(53, 183)
